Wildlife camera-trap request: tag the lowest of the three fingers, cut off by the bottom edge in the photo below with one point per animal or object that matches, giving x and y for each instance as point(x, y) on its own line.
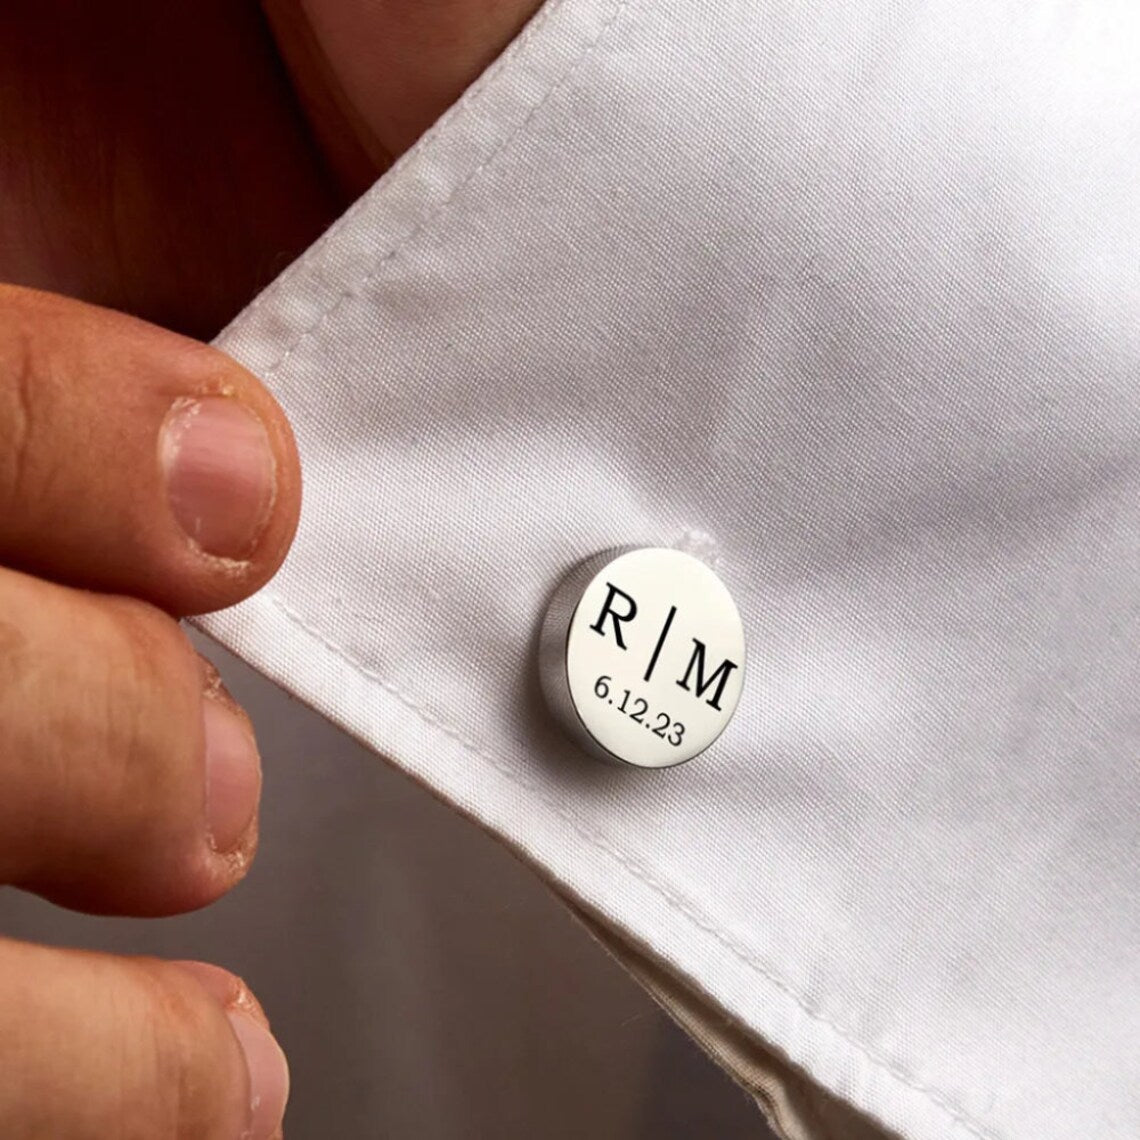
point(108, 1044)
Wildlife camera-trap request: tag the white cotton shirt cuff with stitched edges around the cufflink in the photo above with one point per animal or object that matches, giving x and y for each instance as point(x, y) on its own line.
point(846, 297)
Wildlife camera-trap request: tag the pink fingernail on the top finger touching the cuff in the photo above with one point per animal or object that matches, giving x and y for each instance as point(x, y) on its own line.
point(221, 474)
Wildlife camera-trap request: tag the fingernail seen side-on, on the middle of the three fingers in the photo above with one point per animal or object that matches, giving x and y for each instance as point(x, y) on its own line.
point(233, 775)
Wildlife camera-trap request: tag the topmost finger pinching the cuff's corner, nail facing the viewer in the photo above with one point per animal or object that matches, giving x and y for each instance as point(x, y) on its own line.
point(146, 465)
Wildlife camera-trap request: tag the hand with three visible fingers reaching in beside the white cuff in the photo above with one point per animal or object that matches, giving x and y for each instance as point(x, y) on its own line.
point(143, 476)
